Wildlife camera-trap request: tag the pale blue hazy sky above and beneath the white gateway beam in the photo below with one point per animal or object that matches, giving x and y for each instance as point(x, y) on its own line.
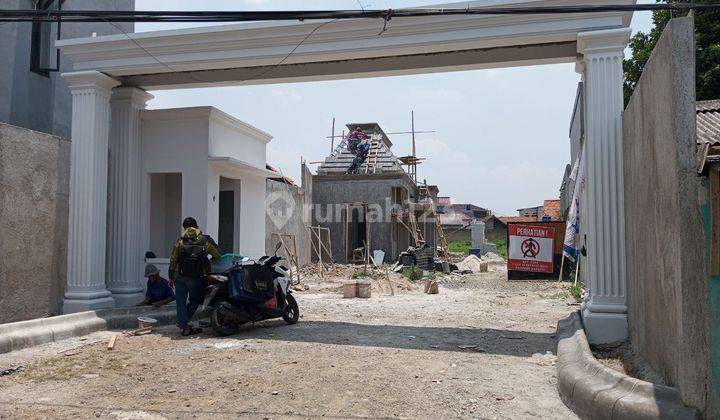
point(501, 138)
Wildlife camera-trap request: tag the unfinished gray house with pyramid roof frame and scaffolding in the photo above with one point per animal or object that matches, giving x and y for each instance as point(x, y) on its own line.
point(382, 207)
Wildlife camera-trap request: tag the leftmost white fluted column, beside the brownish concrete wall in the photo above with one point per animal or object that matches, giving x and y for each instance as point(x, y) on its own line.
point(88, 191)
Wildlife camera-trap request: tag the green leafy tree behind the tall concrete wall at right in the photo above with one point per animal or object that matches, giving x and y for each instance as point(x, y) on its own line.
point(707, 55)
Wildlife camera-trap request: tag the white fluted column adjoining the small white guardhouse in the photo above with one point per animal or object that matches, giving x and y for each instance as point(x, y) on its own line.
point(124, 246)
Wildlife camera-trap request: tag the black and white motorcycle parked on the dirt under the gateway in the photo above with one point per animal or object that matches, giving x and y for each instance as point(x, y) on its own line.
point(250, 291)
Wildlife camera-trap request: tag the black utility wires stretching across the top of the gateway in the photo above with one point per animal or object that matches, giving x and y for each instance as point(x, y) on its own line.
point(244, 16)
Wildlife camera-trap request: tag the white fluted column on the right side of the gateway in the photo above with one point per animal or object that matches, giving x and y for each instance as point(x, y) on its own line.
point(605, 310)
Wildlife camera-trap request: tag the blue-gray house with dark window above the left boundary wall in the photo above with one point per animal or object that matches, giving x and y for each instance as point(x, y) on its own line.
point(32, 93)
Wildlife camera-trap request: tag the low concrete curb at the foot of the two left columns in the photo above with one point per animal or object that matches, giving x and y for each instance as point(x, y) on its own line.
point(23, 334)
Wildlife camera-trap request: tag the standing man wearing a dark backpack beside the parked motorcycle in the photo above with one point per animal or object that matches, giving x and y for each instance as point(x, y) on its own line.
point(189, 264)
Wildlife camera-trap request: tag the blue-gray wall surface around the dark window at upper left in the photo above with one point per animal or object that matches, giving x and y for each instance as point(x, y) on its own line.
point(37, 101)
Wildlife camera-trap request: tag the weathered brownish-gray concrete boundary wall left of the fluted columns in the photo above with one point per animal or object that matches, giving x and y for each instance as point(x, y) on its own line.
point(34, 189)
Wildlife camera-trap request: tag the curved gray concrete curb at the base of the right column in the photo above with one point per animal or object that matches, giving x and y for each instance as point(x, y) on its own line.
point(594, 391)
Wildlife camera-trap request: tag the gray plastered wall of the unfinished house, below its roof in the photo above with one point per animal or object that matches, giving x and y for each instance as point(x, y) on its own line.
point(330, 192)
